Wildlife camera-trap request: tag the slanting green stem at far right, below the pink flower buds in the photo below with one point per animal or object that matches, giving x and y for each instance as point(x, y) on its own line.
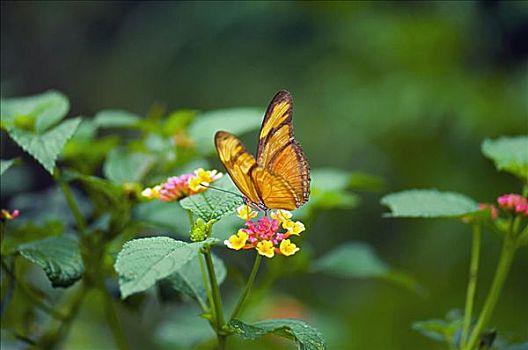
point(503, 267)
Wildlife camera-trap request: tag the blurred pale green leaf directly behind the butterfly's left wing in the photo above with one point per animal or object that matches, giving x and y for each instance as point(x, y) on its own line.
point(237, 121)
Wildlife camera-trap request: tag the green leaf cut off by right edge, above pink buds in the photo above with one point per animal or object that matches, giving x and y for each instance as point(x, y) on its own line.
point(509, 154)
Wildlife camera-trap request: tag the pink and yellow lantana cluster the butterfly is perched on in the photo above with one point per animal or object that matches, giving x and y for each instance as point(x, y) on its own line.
point(268, 235)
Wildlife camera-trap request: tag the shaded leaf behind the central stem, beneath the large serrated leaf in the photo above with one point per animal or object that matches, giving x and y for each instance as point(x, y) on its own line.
point(189, 280)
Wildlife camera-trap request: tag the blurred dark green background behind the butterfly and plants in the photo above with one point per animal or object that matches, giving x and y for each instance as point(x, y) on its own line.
point(403, 90)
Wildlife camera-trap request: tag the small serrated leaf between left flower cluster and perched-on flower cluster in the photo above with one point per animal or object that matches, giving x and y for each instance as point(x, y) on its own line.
point(211, 204)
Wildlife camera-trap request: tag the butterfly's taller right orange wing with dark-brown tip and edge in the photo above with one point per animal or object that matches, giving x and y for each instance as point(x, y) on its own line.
point(281, 155)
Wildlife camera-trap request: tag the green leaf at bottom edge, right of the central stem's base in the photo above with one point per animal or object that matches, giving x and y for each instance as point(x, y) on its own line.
point(306, 336)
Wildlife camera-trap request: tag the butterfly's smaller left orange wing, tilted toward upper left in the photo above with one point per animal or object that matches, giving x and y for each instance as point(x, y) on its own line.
point(238, 163)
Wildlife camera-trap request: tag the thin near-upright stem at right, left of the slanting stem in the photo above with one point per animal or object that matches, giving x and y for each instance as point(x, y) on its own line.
point(472, 283)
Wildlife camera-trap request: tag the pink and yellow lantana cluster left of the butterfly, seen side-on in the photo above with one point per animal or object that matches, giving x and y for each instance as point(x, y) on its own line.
point(179, 187)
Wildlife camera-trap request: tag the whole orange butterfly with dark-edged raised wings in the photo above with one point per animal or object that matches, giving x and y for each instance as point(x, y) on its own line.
point(279, 177)
